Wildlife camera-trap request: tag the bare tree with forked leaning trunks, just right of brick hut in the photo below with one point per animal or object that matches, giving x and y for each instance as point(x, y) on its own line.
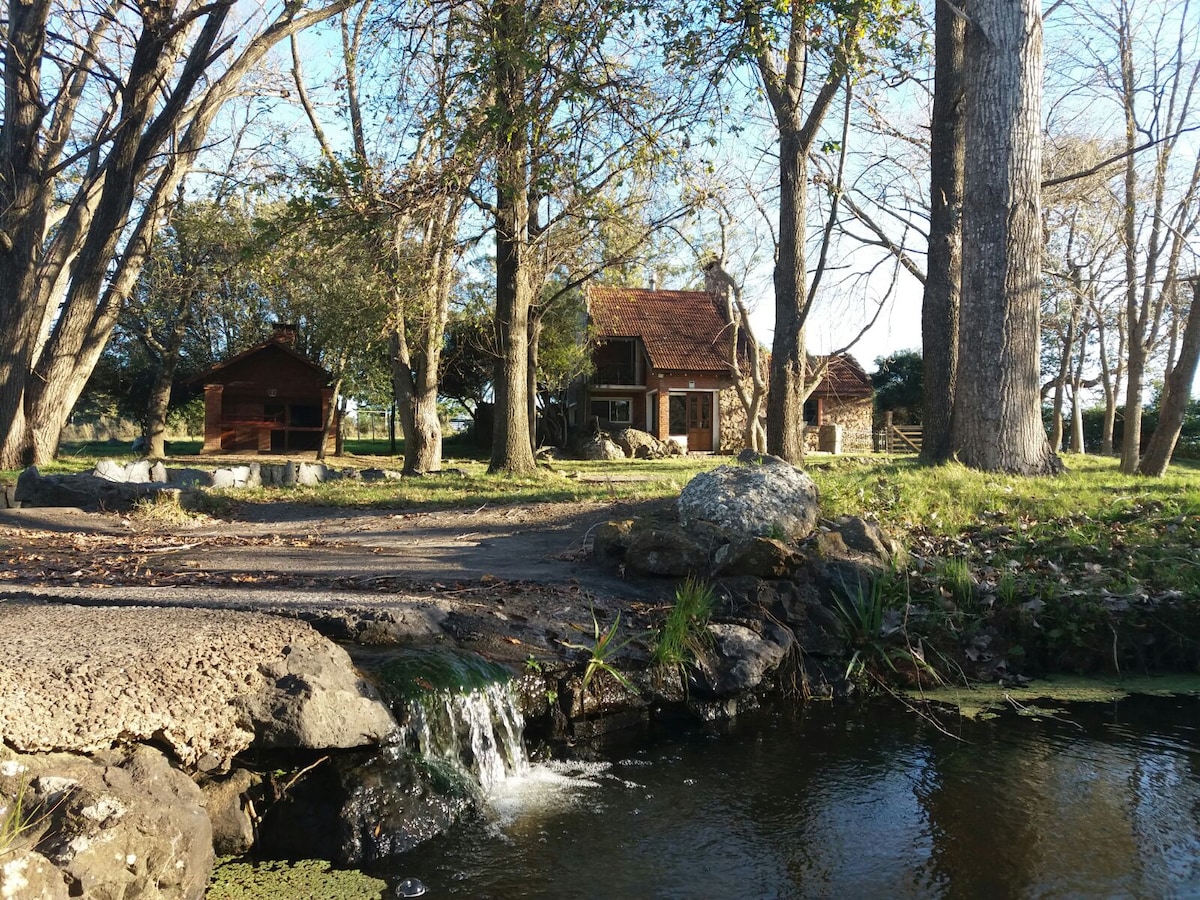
point(407, 209)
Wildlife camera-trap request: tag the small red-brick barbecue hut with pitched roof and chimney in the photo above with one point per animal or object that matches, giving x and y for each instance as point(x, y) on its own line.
point(269, 399)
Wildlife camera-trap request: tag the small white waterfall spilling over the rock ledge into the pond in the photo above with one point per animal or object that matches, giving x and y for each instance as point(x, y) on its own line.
point(477, 734)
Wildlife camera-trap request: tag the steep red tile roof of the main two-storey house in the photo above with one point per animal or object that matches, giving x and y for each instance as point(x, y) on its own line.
point(682, 331)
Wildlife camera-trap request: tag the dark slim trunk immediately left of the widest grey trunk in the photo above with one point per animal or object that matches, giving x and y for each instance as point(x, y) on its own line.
point(944, 278)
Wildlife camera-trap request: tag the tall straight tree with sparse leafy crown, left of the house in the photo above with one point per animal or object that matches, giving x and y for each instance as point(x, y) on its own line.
point(569, 113)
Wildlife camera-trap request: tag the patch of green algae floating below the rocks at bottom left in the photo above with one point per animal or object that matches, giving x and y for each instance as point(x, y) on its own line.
point(274, 880)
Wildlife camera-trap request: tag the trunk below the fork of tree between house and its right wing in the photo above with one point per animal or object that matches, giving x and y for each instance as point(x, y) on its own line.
point(785, 403)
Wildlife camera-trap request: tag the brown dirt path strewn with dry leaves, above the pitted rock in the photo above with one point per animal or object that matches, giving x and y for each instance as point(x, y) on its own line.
point(508, 580)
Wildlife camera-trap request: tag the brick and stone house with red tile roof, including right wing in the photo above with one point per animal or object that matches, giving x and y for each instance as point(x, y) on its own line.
point(661, 364)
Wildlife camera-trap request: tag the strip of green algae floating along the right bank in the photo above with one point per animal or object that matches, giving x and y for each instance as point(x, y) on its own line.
point(985, 701)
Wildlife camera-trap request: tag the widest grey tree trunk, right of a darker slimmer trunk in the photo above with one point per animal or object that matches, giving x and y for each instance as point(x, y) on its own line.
point(998, 424)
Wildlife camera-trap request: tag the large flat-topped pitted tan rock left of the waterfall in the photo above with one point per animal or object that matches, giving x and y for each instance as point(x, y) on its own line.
point(201, 682)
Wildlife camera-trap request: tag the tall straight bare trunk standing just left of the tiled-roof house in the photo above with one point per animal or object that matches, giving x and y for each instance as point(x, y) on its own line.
point(512, 440)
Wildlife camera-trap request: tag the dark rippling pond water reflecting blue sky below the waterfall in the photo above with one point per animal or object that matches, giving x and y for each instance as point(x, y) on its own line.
point(1102, 801)
